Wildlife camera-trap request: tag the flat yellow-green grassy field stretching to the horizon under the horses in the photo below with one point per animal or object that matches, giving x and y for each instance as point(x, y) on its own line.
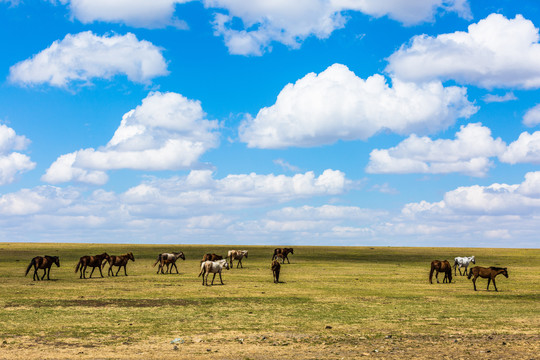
point(333, 303)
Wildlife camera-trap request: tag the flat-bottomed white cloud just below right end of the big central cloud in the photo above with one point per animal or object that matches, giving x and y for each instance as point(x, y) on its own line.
point(469, 154)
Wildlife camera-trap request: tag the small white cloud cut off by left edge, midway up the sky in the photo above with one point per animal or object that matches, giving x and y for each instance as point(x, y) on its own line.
point(12, 163)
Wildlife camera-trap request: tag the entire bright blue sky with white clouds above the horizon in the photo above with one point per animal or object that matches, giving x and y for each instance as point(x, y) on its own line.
point(334, 122)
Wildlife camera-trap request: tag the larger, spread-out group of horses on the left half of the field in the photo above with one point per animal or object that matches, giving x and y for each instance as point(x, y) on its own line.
point(210, 263)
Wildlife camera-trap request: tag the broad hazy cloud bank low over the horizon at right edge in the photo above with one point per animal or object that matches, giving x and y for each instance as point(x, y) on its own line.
point(498, 215)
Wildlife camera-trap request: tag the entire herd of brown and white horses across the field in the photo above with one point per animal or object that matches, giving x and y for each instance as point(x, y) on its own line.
point(214, 264)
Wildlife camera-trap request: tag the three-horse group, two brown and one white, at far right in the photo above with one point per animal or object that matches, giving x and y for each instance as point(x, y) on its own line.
point(490, 273)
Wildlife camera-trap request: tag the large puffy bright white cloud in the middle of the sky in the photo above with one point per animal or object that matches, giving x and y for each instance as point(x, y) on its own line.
point(337, 105)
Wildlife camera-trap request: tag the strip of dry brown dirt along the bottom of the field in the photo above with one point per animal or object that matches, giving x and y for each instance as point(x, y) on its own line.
point(279, 346)
